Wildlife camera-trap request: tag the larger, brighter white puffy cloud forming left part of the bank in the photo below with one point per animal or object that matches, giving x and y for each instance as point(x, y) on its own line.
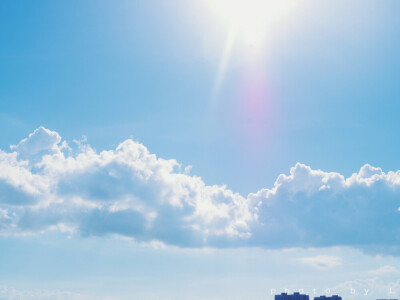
point(126, 191)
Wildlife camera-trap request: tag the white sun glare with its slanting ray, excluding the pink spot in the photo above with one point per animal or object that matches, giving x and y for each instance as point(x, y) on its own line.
point(250, 25)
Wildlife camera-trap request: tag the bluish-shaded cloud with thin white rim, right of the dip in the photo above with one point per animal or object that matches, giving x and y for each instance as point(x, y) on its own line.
point(320, 209)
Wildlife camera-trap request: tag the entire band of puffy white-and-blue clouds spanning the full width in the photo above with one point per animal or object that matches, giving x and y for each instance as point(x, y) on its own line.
point(45, 185)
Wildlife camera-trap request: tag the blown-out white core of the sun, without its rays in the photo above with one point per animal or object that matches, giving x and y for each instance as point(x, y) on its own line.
point(251, 20)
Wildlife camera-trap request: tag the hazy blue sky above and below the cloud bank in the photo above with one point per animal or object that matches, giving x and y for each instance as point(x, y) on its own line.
point(114, 70)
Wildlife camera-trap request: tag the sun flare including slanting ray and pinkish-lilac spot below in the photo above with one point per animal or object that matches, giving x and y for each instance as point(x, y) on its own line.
point(251, 25)
